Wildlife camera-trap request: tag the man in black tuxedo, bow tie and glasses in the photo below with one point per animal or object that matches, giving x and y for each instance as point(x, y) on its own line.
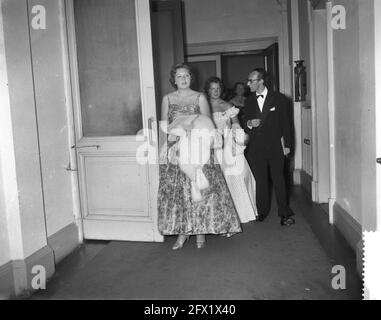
point(265, 120)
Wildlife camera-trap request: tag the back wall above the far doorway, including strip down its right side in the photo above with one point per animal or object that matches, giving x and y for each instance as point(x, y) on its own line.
point(209, 21)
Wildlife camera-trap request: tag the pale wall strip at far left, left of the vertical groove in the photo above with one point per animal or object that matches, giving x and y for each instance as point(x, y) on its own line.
point(25, 212)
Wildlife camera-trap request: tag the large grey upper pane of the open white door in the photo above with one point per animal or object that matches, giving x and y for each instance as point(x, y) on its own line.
point(108, 67)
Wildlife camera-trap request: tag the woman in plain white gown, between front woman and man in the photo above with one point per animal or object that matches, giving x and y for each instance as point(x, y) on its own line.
point(238, 175)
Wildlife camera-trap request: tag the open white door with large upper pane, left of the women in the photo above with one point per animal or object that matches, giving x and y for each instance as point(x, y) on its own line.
point(114, 98)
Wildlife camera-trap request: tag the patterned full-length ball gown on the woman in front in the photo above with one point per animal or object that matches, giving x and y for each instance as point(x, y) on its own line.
point(178, 213)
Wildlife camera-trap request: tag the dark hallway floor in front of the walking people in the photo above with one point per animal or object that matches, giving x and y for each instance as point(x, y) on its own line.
point(265, 261)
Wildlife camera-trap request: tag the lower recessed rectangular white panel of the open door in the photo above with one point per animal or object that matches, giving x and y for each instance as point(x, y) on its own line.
point(105, 177)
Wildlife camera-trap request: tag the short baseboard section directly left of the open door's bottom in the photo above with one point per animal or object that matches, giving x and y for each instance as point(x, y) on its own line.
point(64, 242)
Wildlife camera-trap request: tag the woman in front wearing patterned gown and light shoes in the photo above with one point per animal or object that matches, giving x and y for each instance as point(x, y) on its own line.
point(179, 214)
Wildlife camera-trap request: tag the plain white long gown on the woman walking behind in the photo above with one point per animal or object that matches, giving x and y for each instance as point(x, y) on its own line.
point(241, 182)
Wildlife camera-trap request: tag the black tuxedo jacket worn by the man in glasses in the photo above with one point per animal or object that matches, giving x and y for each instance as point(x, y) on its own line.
point(266, 139)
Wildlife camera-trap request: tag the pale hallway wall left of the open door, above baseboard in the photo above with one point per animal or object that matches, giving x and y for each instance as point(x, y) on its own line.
point(39, 113)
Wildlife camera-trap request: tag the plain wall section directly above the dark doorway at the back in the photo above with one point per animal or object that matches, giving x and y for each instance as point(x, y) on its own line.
point(223, 20)
